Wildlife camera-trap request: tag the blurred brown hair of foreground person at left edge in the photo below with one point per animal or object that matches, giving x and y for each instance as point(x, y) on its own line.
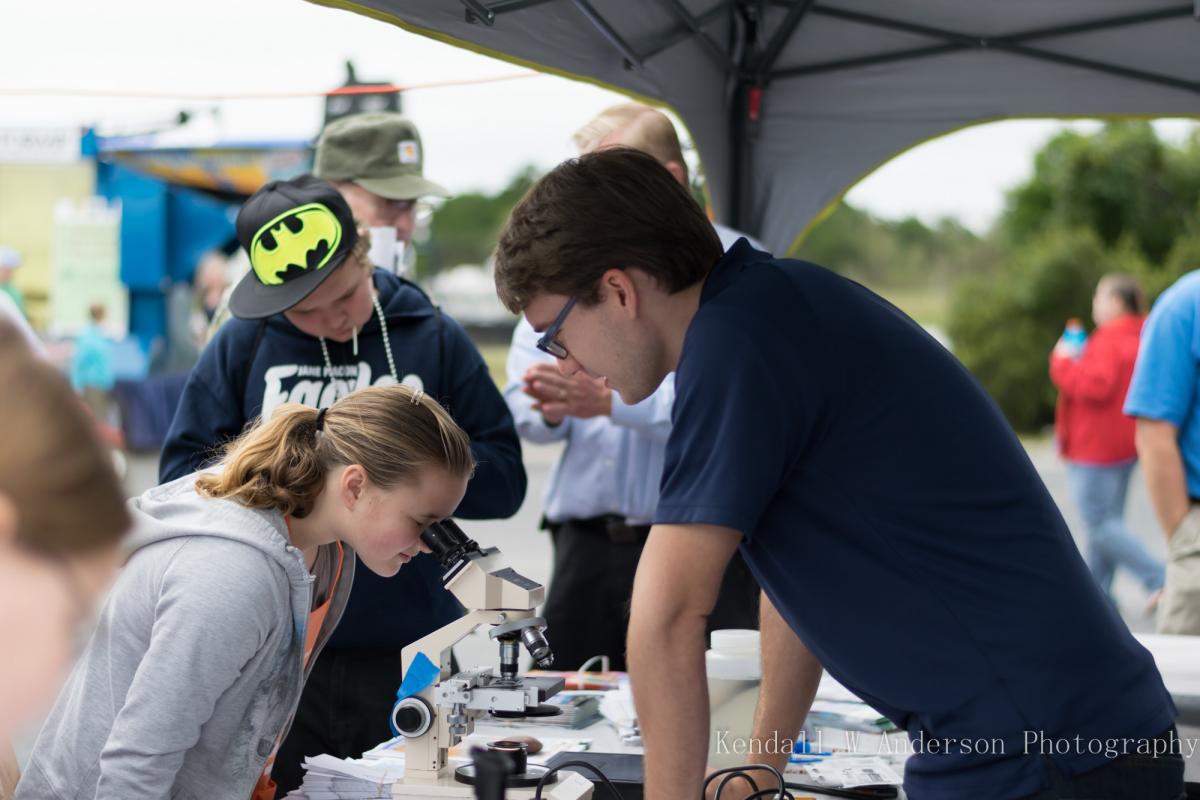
point(53, 467)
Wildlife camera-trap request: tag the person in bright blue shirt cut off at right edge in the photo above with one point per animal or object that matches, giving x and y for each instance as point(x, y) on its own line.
point(1163, 396)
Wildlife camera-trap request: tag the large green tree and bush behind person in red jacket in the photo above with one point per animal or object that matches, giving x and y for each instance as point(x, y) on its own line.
point(1120, 201)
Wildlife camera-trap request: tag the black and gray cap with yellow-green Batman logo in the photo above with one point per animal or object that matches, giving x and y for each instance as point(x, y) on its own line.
point(297, 233)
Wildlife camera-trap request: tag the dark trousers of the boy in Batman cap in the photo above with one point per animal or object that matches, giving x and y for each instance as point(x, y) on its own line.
point(345, 711)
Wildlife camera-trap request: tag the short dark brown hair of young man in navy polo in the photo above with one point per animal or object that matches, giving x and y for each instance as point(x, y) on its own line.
point(614, 208)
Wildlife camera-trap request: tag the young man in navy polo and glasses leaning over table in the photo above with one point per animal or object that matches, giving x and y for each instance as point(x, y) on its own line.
point(902, 536)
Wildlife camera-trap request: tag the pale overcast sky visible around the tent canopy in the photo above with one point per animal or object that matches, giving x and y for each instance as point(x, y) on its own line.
point(476, 137)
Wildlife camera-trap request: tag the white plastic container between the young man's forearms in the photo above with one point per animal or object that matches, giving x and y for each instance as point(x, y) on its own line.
point(735, 672)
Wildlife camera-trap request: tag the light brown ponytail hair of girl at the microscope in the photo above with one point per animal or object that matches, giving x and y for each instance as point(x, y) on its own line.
point(393, 432)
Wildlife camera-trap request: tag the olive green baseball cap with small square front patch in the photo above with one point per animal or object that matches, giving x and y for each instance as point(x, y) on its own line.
point(380, 152)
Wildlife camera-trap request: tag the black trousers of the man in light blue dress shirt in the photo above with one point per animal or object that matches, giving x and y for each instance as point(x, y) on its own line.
point(587, 611)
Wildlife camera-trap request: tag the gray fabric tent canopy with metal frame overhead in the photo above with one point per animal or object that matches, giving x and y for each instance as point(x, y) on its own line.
point(790, 103)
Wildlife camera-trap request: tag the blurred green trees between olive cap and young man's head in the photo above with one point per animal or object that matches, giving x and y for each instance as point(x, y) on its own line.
point(465, 228)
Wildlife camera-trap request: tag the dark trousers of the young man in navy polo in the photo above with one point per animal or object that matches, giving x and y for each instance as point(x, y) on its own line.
point(1127, 778)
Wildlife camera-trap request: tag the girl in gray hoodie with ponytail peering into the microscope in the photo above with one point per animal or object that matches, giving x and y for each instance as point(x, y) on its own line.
point(237, 578)
